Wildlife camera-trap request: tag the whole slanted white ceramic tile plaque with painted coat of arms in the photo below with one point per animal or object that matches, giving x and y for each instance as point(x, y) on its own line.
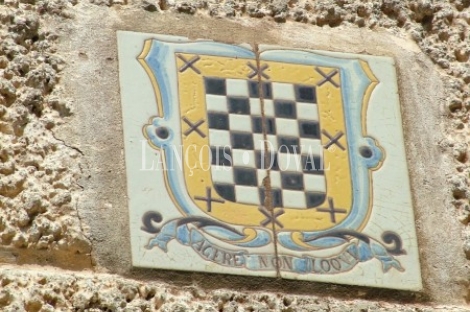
point(266, 161)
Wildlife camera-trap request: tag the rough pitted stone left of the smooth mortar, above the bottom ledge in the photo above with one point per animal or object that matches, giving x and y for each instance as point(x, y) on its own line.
point(38, 172)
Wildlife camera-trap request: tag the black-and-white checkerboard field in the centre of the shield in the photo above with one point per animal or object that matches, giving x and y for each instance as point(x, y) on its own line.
point(239, 159)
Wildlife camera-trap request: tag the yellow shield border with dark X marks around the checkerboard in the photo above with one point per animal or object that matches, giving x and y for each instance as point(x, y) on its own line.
point(191, 93)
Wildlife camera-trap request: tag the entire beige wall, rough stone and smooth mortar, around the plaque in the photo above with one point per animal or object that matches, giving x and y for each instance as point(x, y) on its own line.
point(63, 212)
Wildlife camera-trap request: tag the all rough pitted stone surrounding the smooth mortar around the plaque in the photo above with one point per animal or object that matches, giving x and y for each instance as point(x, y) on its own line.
point(44, 177)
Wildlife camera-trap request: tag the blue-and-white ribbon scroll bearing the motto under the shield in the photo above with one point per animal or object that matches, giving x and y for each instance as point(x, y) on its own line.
point(354, 251)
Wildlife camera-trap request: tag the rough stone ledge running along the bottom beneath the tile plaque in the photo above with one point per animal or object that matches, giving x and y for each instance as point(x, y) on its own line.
point(50, 290)
